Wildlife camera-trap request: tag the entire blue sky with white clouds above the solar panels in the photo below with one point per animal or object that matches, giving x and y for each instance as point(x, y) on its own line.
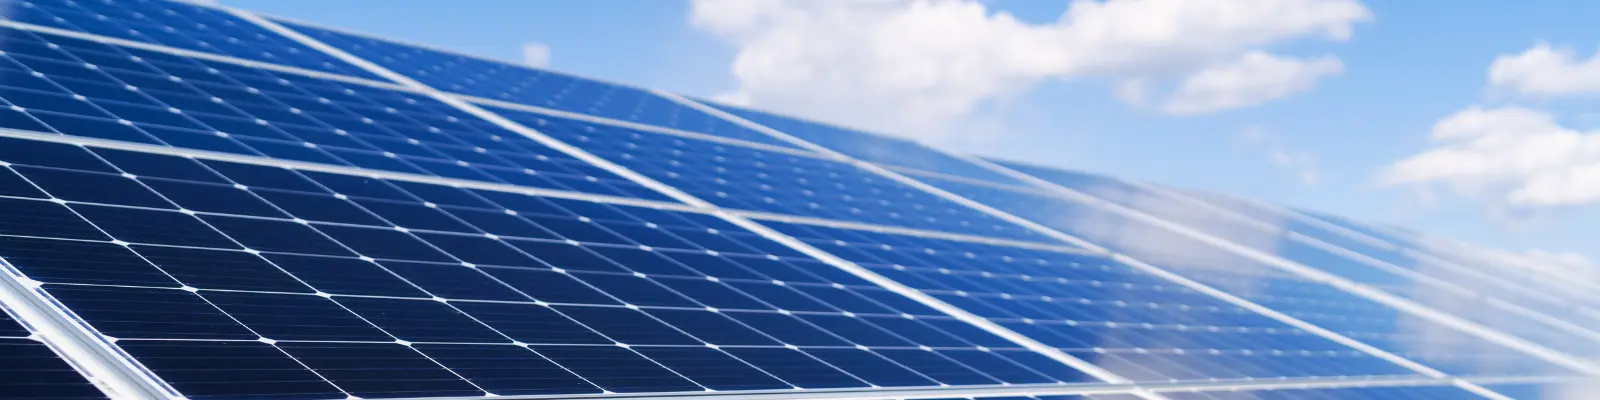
point(1473, 121)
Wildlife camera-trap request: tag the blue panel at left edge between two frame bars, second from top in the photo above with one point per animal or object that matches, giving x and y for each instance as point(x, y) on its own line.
point(86, 89)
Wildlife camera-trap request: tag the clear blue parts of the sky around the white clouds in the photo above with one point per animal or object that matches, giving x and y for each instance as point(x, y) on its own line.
point(1404, 70)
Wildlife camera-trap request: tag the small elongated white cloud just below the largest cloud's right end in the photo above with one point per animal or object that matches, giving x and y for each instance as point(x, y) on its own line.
point(1249, 81)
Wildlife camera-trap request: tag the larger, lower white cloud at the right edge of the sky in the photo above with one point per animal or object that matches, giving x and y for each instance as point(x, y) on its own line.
point(1508, 156)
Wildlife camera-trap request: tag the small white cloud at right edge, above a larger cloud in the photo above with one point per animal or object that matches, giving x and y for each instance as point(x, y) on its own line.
point(1548, 73)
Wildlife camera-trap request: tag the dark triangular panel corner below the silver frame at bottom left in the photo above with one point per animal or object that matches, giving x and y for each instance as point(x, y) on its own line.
point(31, 370)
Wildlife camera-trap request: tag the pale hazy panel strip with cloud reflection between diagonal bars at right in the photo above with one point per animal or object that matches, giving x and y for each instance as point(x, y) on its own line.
point(1431, 345)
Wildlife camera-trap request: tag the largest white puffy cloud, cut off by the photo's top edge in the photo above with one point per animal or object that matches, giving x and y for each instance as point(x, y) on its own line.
point(914, 66)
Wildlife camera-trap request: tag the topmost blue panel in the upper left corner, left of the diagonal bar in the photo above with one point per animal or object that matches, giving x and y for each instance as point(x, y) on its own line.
point(175, 25)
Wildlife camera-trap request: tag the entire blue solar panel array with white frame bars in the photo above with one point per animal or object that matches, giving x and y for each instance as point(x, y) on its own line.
point(199, 202)
